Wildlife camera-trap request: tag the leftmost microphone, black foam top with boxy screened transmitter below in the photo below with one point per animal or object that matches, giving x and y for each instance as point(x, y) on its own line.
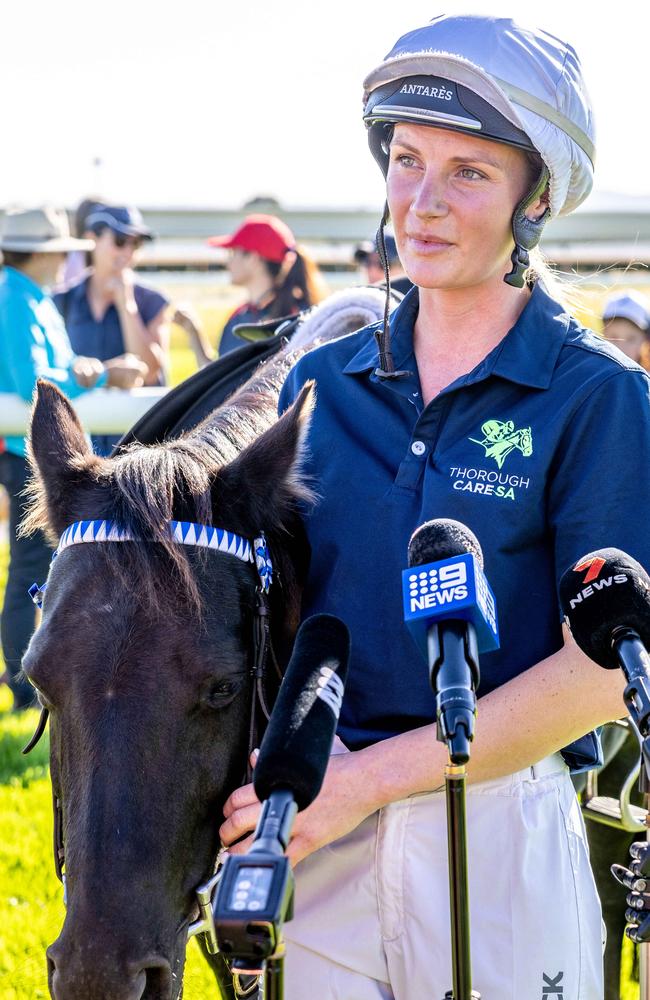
point(255, 894)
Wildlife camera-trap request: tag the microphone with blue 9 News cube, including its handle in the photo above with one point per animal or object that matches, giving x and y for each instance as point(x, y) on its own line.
point(450, 611)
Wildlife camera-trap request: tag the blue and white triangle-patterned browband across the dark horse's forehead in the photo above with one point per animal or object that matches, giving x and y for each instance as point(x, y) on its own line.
point(181, 532)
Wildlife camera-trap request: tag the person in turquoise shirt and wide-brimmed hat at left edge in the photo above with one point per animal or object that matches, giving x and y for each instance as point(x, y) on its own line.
point(34, 344)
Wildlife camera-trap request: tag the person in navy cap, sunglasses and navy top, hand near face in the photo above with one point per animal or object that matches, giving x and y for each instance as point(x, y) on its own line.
point(107, 313)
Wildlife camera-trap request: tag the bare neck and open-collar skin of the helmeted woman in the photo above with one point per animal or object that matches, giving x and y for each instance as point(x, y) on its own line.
point(457, 328)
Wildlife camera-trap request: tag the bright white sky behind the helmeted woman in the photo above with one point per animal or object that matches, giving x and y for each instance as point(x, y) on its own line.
point(212, 102)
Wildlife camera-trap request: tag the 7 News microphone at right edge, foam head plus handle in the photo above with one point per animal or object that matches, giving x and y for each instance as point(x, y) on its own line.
point(605, 600)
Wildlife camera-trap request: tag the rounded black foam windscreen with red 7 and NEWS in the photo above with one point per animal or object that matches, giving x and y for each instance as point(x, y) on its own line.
point(605, 590)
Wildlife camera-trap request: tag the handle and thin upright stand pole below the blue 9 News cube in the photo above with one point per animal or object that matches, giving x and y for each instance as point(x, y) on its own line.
point(454, 675)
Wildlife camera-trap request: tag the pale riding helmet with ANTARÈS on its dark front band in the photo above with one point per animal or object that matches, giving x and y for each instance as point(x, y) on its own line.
point(532, 79)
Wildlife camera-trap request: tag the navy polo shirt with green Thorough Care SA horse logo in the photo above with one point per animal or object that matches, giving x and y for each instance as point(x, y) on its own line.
point(543, 450)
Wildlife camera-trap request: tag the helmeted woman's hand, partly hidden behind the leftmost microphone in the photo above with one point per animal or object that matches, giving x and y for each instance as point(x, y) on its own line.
point(342, 804)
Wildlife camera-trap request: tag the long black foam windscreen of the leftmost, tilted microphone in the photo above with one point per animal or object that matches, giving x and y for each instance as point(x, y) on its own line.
point(297, 744)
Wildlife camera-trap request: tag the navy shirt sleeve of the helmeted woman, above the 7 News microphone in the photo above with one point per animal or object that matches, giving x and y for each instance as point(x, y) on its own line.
point(599, 491)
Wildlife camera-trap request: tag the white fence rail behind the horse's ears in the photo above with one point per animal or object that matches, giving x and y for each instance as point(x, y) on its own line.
point(101, 411)
